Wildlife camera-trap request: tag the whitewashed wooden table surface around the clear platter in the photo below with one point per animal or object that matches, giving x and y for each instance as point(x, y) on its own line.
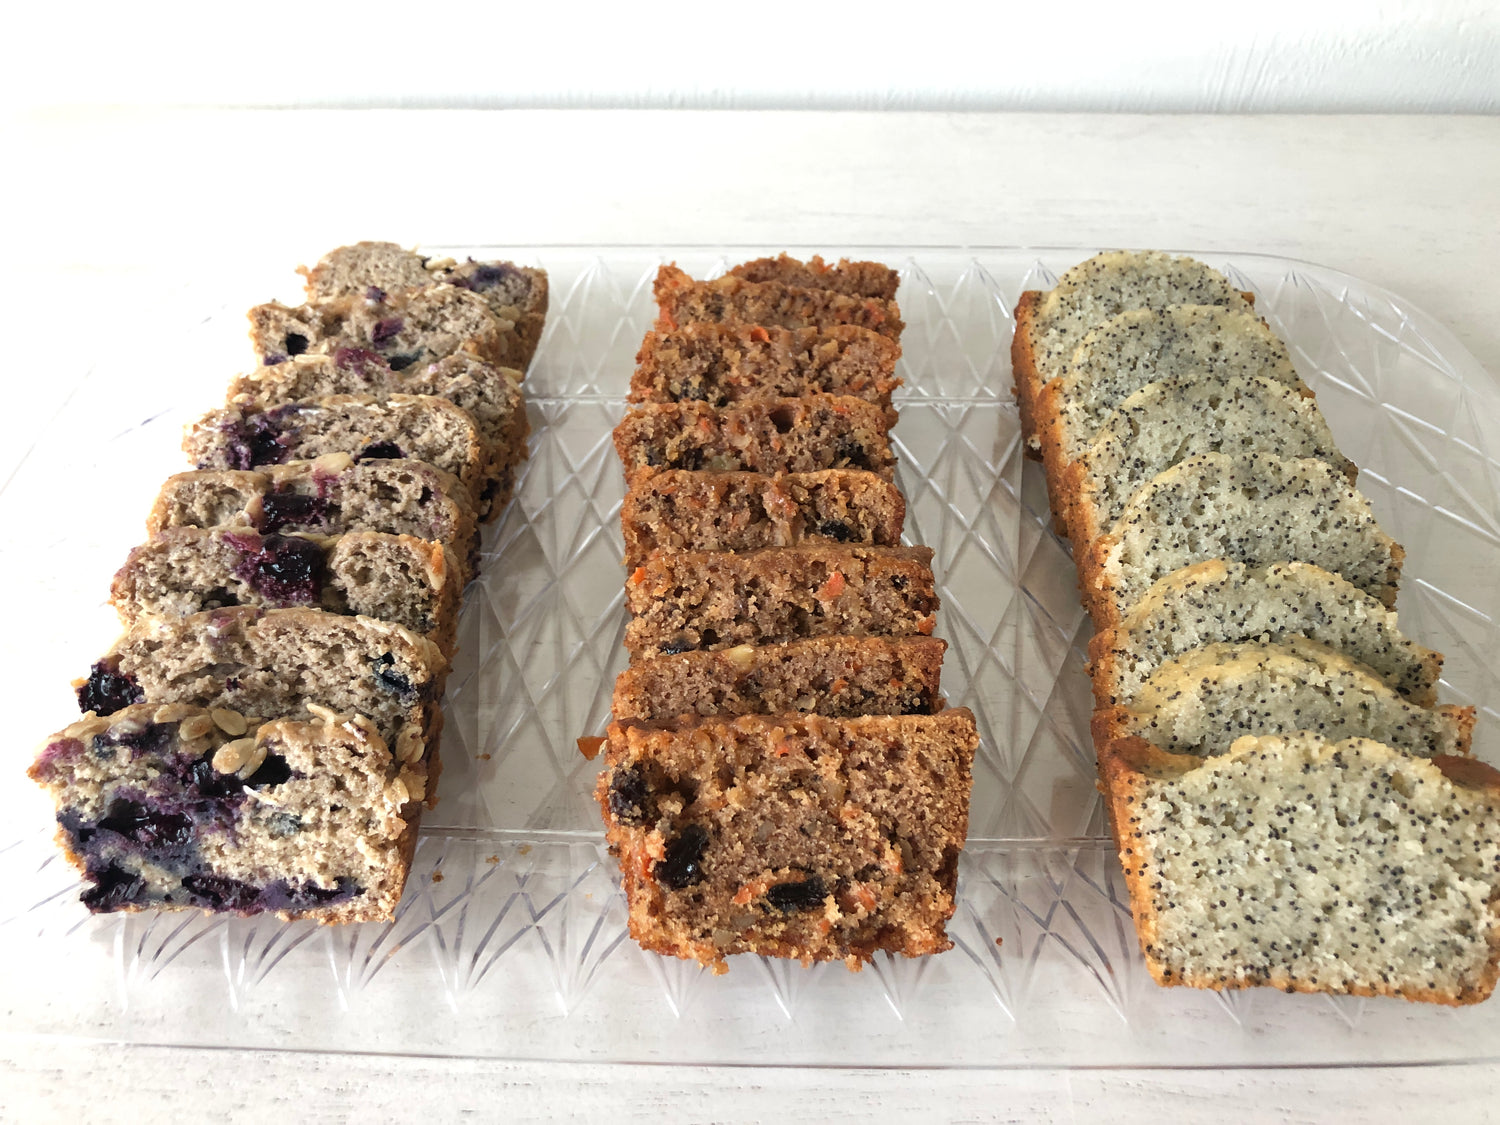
point(134, 205)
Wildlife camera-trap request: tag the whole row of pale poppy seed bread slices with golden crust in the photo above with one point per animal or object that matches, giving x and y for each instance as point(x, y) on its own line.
point(1292, 806)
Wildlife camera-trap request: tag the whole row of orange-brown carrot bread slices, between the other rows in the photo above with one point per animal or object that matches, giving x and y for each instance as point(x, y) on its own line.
point(782, 776)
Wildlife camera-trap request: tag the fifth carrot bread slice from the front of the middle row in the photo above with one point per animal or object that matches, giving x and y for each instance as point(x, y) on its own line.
point(773, 436)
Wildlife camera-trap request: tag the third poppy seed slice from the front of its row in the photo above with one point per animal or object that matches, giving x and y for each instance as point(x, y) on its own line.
point(1217, 601)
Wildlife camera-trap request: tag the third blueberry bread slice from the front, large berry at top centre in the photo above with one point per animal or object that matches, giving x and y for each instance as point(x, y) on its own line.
point(395, 578)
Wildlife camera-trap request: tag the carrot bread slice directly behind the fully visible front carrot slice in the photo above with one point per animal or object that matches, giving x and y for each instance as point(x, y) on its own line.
point(829, 676)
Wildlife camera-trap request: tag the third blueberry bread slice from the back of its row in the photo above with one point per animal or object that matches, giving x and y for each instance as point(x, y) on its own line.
point(487, 394)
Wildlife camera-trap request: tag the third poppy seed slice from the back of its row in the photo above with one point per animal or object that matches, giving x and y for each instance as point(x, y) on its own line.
point(1172, 421)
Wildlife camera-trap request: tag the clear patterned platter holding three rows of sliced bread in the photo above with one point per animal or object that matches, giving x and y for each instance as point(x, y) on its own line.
point(511, 941)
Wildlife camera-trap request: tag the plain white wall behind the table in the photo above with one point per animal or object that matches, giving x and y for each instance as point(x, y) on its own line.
point(1183, 56)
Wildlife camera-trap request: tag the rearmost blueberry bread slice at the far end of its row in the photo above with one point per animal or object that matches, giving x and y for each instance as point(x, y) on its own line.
point(512, 293)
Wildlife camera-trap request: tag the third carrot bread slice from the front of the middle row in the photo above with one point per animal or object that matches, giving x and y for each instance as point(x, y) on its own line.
point(706, 599)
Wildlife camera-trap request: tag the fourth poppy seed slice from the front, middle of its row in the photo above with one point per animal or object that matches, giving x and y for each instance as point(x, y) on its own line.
point(1255, 511)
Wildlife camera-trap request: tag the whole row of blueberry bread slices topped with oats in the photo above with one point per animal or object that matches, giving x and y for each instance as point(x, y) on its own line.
point(265, 734)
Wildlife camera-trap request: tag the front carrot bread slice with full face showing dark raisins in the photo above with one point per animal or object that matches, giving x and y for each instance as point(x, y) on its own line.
point(790, 836)
